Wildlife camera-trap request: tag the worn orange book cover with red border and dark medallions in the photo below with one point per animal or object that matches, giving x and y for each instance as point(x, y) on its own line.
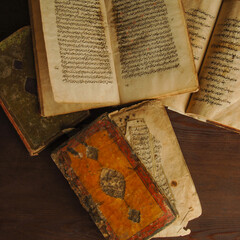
point(112, 184)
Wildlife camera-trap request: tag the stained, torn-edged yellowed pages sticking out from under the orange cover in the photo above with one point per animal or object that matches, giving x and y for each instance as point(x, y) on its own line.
point(148, 130)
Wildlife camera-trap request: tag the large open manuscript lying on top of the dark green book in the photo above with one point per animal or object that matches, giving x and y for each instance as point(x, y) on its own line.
point(99, 53)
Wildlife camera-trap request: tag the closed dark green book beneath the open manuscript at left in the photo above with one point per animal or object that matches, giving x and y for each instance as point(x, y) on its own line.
point(18, 95)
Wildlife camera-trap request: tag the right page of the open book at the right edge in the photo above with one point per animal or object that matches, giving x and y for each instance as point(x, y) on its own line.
point(219, 97)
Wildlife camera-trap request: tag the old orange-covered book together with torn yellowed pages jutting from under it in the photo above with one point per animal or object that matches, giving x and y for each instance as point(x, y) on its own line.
point(129, 173)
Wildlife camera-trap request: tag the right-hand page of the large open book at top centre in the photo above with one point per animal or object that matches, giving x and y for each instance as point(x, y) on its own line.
point(152, 52)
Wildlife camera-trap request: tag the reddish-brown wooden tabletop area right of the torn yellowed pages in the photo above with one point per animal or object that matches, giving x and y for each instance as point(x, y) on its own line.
point(213, 157)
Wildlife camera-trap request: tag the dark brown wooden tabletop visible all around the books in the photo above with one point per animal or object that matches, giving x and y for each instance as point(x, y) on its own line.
point(36, 202)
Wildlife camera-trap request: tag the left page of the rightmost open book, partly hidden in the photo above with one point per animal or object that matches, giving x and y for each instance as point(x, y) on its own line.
point(201, 17)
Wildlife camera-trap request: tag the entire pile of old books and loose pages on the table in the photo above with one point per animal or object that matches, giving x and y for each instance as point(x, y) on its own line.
point(126, 167)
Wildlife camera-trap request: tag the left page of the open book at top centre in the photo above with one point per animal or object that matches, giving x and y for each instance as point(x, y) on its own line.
point(78, 57)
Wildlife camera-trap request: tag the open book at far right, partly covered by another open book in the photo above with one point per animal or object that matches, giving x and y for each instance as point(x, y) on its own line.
point(214, 28)
